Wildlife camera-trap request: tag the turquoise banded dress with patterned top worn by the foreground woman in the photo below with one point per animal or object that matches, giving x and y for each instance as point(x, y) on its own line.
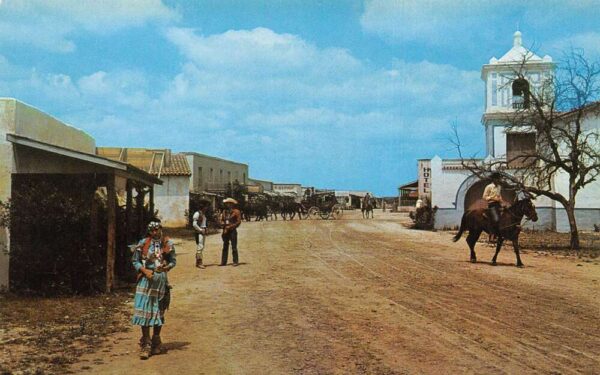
point(152, 296)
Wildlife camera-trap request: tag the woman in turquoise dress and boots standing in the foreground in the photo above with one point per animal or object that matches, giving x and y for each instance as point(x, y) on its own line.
point(153, 257)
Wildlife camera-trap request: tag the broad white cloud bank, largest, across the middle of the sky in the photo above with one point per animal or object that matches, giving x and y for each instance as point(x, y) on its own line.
point(298, 102)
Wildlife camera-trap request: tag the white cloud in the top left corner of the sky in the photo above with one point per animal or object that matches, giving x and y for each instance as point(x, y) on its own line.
point(51, 24)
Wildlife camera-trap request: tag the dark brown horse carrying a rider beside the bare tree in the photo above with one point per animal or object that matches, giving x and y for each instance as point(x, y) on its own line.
point(476, 221)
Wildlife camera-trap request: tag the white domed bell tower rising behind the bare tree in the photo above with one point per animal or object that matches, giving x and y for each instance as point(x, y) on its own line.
point(504, 93)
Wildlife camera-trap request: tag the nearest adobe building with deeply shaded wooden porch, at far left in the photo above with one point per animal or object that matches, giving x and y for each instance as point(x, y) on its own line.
point(37, 151)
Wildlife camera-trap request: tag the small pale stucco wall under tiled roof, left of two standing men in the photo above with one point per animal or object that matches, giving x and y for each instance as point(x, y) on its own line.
point(172, 199)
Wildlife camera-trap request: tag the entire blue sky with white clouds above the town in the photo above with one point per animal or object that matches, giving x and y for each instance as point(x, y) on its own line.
point(334, 94)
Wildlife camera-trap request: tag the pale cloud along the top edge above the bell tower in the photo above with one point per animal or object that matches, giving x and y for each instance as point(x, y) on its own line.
point(460, 23)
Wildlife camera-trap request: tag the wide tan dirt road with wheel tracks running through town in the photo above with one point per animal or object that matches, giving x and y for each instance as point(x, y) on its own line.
point(368, 296)
